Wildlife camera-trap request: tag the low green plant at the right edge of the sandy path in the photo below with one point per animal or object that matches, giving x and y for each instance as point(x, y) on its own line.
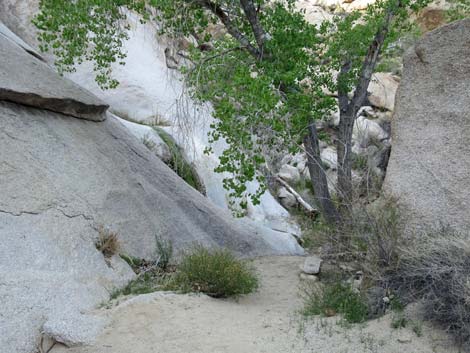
point(335, 298)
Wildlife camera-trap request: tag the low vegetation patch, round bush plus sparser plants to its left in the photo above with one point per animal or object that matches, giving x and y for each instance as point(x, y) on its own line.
point(217, 273)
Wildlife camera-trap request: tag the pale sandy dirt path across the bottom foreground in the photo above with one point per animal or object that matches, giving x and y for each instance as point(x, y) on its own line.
point(266, 322)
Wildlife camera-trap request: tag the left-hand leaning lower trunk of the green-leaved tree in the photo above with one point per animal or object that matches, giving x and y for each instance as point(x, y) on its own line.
point(318, 176)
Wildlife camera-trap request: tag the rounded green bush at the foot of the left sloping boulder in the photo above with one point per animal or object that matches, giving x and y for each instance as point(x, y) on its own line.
point(217, 273)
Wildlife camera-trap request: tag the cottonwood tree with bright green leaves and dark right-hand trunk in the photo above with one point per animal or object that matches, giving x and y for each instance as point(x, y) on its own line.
point(269, 79)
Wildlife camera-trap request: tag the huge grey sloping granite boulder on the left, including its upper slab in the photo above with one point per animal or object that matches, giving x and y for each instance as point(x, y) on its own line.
point(61, 177)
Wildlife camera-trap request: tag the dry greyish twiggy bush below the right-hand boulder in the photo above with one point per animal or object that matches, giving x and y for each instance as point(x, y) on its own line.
point(435, 269)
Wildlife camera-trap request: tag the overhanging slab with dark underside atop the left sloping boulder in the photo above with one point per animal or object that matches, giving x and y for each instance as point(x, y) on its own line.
point(35, 84)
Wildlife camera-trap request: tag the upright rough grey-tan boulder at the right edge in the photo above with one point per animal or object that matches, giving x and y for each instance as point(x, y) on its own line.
point(430, 161)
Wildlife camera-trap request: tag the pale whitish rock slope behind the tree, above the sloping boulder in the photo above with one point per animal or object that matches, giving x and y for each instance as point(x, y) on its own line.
point(151, 92)
